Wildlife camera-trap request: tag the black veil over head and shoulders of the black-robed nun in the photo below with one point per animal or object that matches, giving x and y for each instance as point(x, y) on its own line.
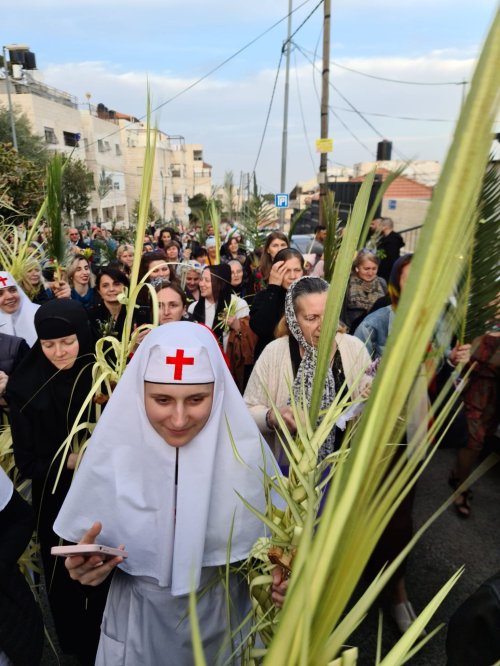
point(37, 385)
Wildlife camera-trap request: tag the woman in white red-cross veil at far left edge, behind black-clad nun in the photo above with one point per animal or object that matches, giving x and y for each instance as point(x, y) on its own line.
point(17, 312)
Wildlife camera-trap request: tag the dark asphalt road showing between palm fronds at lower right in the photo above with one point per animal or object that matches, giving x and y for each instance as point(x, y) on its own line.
point(448, 544)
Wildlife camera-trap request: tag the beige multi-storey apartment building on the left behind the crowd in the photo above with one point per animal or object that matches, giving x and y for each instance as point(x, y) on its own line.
point(112, 144)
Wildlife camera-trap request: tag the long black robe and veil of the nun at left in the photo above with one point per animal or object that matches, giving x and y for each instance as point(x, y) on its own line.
point(44, 403)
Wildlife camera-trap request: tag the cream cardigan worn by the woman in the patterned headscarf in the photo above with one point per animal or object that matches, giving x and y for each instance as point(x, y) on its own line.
point(273, 371)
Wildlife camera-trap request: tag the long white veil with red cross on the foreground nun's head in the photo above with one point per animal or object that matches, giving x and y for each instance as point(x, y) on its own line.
point(127, 476)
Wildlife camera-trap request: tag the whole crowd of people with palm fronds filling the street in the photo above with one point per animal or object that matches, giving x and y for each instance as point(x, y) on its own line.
point(235, 342)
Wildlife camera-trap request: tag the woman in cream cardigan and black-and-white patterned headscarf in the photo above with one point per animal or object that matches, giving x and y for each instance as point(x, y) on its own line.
point(290, 360)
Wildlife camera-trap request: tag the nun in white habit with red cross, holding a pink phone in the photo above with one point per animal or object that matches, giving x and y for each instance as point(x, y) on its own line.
point(161, 477)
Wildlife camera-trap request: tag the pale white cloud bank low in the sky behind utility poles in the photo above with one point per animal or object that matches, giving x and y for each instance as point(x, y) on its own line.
point(227, 115)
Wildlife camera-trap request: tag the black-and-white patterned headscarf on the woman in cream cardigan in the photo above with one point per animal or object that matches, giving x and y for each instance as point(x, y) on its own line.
point(305, 374)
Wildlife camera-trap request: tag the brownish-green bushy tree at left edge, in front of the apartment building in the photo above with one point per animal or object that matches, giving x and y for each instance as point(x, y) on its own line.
point(21, 186)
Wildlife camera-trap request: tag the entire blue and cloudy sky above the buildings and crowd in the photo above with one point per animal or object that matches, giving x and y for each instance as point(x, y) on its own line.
point(113, 50)
